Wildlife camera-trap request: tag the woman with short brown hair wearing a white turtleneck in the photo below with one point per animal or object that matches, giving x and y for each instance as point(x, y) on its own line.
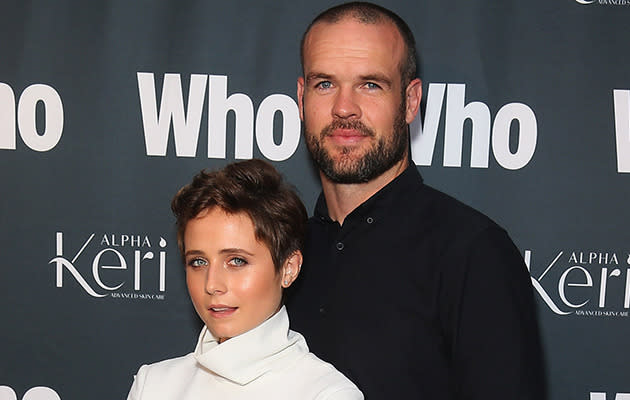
point(240, 231)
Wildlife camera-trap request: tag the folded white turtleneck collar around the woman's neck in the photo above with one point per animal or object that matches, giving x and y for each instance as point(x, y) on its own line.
point(252, 354)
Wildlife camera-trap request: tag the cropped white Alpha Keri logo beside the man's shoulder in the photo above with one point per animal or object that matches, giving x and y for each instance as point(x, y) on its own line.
point(583, 283)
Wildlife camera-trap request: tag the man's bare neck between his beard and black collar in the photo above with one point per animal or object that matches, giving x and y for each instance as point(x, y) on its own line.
point(343, 198)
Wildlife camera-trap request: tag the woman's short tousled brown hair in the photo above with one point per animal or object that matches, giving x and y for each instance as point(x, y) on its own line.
point(256, 188)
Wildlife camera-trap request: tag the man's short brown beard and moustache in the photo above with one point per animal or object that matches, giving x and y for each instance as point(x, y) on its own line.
point(383, 155)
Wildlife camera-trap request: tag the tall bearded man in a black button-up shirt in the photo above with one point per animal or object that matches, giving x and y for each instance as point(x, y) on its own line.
point(408, 292)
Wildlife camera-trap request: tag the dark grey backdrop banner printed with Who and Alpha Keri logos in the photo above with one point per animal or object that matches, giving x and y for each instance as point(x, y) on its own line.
point(107, 108)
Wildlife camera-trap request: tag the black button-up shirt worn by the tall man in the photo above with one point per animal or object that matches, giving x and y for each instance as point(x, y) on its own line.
point(418, 296)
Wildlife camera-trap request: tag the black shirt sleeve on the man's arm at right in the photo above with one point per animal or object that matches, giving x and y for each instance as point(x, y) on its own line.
point(494, 337)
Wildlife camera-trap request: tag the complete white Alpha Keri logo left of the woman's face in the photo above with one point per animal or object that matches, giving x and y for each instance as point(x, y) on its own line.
point(124, 266)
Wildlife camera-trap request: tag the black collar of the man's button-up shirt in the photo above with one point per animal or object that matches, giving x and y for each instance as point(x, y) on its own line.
point(380, 200)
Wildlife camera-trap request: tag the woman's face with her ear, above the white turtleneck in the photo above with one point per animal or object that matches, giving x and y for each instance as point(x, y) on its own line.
point(230, 275)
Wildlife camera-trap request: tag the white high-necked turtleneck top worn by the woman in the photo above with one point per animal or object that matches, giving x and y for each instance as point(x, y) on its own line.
point(268, 362)
